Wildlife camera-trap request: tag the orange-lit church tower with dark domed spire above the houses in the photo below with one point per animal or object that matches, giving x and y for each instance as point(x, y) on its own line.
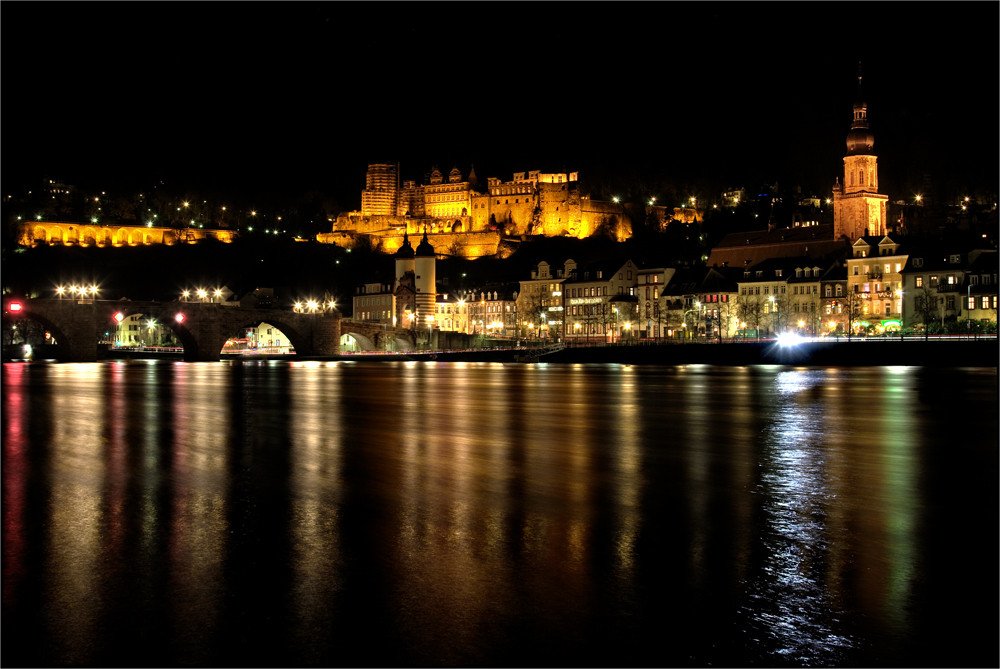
point(858, 208)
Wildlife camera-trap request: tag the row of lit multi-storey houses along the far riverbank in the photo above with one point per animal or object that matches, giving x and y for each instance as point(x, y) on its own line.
point(879, 285)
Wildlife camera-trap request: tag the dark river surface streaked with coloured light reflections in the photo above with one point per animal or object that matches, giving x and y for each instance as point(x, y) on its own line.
point(400, 514)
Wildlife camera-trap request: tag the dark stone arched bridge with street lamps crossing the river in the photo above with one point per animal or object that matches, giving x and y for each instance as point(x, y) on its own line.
point(202, 328)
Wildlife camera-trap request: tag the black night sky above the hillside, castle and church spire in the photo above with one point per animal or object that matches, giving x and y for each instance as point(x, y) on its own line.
point(283, 98)
